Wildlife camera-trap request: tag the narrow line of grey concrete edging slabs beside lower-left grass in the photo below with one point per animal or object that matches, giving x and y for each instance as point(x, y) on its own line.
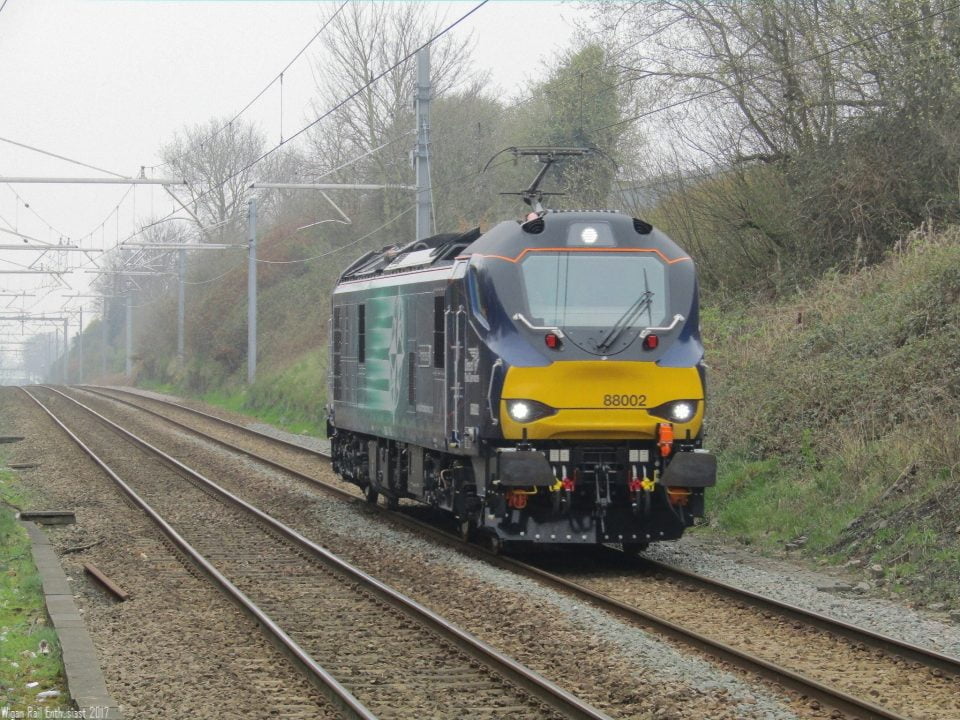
point(80, 662)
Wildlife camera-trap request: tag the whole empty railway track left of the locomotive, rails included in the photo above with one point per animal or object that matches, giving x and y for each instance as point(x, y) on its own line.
point(372, 651)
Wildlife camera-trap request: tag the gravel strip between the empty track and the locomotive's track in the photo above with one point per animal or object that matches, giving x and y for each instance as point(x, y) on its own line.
point(620, 668)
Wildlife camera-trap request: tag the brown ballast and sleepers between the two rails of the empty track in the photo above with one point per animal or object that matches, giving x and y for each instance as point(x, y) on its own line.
point(347, 629)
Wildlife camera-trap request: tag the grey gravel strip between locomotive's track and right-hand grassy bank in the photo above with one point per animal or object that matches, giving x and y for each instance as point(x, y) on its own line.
point(798, 585)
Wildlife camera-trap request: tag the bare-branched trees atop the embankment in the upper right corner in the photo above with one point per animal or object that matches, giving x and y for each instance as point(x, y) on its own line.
point(836, 122)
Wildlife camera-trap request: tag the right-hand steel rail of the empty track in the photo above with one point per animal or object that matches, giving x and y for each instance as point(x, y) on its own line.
point(539, 687)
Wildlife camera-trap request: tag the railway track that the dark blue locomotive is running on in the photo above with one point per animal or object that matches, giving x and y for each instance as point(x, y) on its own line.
point(589, 588)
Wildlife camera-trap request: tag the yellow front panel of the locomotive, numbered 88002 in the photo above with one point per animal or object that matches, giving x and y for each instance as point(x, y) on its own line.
point(585, 394)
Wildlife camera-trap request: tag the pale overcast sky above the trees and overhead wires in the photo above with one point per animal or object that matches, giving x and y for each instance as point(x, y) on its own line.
point(107, 82)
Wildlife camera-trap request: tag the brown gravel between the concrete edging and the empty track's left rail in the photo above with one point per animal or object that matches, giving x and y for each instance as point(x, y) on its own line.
point(177, 646)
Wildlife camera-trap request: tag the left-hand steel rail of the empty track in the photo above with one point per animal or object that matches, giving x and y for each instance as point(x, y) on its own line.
point(316, 674)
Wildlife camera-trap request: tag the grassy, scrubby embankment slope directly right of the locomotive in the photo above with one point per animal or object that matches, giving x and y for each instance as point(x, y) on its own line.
point(836, 415)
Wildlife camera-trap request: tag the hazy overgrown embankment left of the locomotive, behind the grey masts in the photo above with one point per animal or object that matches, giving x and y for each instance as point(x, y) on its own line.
point(290, 391)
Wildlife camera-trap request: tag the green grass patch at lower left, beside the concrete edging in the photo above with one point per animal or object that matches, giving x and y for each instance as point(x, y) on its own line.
point(23, 618)
